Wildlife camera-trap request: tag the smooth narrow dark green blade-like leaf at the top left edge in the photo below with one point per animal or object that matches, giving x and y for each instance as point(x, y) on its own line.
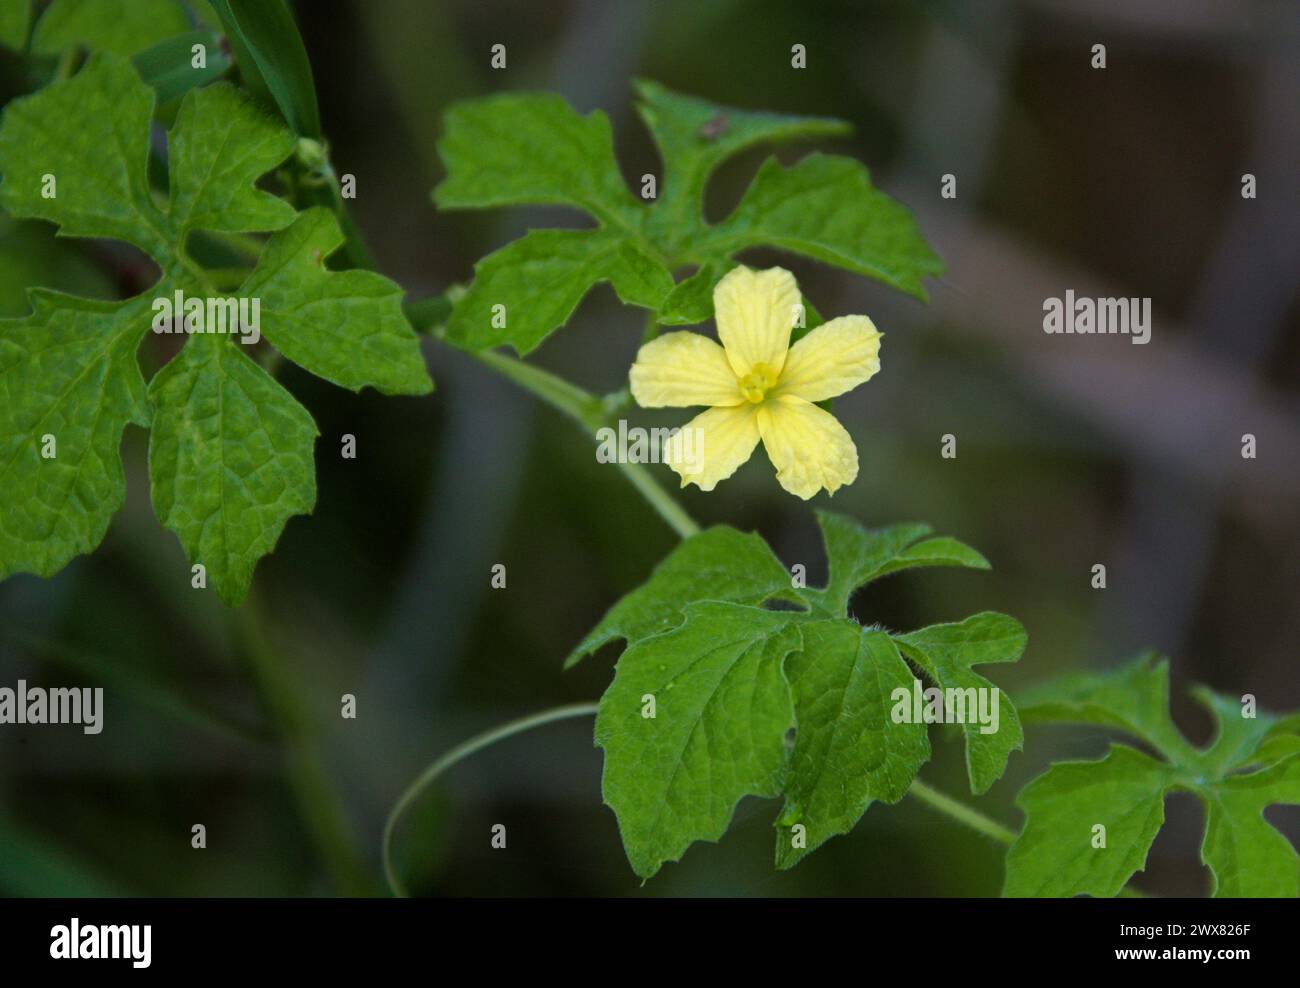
point(272, 59)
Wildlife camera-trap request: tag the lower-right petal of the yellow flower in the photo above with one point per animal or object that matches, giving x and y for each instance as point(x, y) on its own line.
point(808, 447)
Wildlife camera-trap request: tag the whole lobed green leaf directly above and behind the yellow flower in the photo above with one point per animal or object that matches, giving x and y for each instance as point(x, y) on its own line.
point(517, 149)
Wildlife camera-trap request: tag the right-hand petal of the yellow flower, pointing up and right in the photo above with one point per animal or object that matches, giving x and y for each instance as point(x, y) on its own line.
point(833, 359)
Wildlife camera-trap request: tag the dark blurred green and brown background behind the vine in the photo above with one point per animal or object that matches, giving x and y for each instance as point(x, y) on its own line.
point(1072, 452)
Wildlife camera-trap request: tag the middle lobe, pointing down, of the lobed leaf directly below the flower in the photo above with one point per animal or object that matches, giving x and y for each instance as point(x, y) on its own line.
point(848, 752)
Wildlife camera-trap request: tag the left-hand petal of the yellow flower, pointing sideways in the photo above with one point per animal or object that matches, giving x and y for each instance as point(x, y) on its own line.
point(681, 370)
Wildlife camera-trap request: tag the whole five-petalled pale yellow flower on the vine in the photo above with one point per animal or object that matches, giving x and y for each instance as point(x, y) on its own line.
point(760, 387)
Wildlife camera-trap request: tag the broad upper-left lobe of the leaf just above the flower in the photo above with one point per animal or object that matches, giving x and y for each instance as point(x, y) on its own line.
point(532, 148)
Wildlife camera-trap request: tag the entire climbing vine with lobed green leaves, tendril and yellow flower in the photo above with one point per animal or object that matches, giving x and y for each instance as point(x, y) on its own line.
point(735, 678)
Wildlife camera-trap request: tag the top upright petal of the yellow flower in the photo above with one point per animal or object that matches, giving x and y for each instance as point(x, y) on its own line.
point(756, 311)
